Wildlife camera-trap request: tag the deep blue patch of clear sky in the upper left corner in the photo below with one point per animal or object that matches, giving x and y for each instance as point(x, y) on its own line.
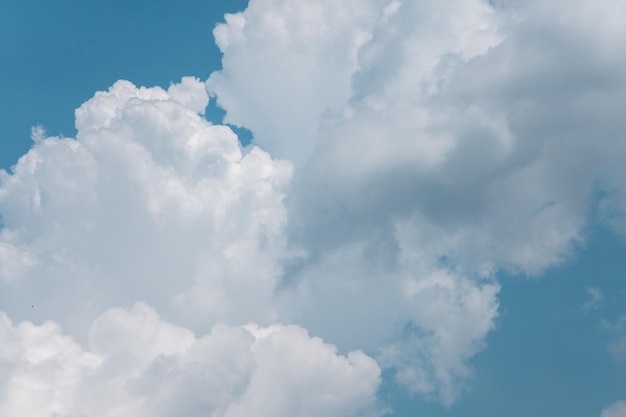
point(56, 54)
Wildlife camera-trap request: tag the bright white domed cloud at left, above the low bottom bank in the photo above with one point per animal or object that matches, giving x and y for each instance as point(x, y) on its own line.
point(149, 197)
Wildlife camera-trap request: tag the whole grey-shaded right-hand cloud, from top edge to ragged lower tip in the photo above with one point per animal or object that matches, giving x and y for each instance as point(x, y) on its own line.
point(471, 135)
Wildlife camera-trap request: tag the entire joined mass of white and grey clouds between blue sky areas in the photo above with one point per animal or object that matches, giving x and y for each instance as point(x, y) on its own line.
point(428, 147)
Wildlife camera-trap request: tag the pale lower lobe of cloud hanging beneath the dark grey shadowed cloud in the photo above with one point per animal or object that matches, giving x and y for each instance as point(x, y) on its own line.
point(424, 320)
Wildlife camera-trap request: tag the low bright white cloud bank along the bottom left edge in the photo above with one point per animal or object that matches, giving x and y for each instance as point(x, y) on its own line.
point(137, 364)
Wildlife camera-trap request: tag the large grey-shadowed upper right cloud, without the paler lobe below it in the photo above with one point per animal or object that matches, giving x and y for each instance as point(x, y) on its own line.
point(466, 118)
